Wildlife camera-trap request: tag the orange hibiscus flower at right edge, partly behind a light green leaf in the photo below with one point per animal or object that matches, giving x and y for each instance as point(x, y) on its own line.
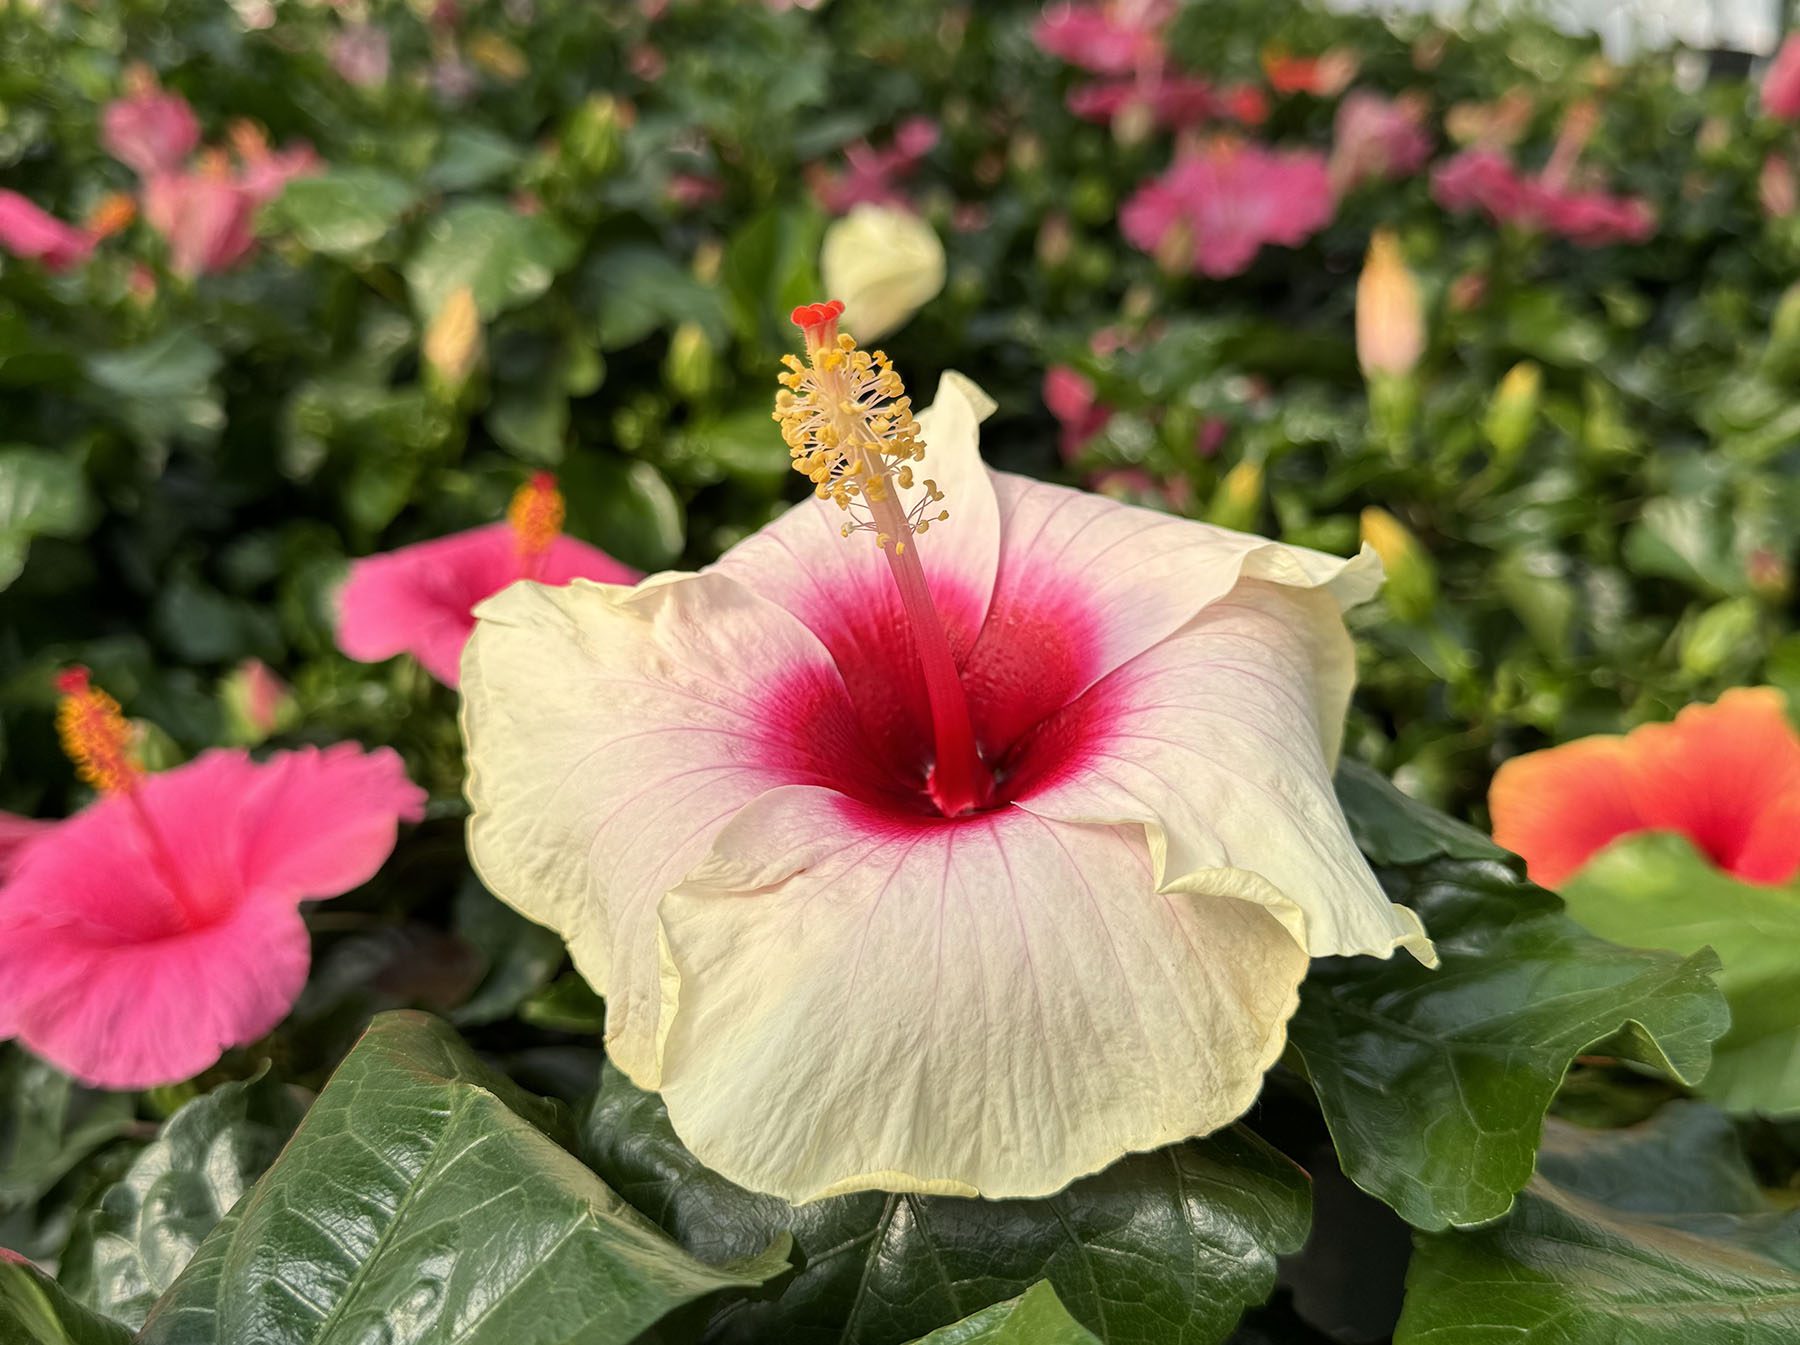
point(1727, 777)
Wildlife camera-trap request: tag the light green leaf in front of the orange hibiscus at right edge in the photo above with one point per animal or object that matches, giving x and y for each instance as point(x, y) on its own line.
point(1659, 892)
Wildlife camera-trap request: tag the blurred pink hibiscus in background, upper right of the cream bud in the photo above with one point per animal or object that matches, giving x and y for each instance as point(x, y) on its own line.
point(1223, 203)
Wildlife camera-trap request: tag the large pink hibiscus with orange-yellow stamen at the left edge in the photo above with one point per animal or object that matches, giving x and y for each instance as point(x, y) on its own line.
point(161, 926)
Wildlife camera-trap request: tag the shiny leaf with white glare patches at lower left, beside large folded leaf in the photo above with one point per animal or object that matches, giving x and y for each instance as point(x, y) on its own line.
point(148, 1225)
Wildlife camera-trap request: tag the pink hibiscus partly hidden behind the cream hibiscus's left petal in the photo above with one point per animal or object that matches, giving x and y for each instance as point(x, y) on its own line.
point(420, 599)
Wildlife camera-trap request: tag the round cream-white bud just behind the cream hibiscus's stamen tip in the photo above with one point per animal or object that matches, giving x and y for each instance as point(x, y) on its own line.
point(885, 264)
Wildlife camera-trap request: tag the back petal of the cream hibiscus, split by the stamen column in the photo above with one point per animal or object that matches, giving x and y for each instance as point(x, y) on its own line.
point(841, 590)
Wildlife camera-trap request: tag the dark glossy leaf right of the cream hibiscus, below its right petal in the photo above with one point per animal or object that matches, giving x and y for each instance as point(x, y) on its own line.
point(1435, 1083)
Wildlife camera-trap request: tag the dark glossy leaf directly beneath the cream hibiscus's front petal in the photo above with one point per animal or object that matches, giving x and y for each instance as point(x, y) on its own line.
point(1183, 1236)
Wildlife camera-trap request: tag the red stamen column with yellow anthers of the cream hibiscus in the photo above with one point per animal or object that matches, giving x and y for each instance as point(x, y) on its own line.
point(850, 431)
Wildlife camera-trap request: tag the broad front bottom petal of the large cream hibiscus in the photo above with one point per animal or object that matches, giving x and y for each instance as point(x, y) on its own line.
point(987, 1007)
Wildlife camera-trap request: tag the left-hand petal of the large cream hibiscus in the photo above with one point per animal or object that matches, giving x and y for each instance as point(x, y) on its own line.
point(611, 734)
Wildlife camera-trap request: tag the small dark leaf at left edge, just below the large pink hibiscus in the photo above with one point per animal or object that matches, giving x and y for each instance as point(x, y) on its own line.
point(49, 1124)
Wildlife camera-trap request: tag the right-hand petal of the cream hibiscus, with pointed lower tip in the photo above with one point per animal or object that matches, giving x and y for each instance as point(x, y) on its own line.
point(1216, 743)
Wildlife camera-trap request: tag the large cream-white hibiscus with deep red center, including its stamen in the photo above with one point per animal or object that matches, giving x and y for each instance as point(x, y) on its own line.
point(948, 854)
